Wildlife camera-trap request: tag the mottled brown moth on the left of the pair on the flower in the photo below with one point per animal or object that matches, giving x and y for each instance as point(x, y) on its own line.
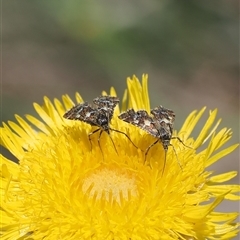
point(99, 115)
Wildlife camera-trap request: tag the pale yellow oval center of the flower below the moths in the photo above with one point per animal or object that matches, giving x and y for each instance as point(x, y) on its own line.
point(111, 184)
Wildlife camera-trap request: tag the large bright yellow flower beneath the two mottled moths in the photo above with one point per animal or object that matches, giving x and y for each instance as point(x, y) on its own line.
point(62, 188)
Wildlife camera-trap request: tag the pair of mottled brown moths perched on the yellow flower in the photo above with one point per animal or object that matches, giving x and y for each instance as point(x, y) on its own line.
point(159, 125)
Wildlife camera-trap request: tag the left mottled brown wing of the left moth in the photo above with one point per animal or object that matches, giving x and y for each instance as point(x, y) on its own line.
point(83, 112)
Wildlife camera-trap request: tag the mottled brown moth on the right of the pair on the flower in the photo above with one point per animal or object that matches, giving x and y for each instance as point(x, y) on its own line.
point(159, 124)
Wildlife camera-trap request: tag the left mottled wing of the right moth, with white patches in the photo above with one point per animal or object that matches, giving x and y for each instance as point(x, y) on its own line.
point(140, 119)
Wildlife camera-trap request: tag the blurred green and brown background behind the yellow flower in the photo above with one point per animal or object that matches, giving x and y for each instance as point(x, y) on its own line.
point(190, 49)
